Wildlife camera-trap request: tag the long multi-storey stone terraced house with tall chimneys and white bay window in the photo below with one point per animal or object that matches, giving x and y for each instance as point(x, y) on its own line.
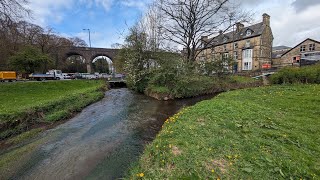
point(251, 47)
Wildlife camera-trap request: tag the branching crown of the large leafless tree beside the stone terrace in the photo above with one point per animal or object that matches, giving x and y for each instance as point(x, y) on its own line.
point(186, 21)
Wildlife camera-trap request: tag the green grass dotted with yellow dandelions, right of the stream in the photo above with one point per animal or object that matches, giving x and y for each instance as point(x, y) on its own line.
point(259, 133)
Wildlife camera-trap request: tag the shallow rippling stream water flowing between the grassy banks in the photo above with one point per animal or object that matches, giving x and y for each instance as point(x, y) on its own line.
point(103, 140)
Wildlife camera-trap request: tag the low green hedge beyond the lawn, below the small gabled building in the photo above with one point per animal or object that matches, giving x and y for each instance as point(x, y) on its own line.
point(290, 75)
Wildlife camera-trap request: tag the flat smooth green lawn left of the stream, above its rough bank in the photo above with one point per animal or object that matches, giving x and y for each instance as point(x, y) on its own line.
point(17, 97)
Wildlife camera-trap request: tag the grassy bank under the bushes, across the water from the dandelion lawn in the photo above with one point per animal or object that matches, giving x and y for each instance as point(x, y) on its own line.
point(195, 85)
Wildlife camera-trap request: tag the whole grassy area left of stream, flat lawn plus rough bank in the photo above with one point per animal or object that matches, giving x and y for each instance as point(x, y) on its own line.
point(23, 105)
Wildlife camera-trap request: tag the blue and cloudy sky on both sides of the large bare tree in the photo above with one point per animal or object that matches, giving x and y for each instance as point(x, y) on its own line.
point(292, 21)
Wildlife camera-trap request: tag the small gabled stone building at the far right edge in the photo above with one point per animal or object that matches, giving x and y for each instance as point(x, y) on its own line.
point(306, 52)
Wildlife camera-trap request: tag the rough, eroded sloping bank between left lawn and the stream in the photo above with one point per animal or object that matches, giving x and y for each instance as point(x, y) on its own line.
point(39, 119)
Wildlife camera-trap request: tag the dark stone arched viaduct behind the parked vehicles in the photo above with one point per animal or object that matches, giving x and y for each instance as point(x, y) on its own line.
point(89, 54)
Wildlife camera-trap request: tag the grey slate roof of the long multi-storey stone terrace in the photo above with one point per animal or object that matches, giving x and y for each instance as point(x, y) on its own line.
point(233, 36)
